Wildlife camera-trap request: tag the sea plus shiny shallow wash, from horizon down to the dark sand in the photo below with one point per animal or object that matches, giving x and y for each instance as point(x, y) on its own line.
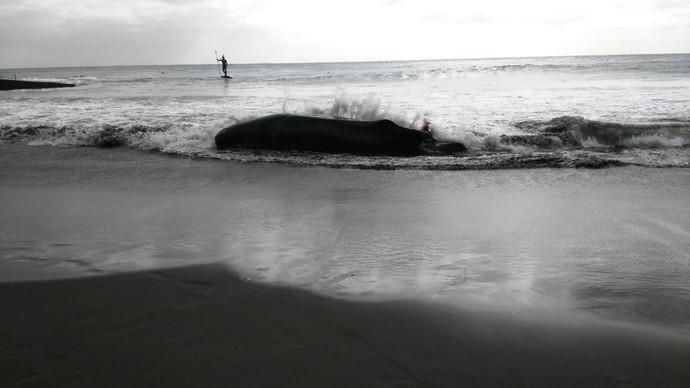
point(88, 185)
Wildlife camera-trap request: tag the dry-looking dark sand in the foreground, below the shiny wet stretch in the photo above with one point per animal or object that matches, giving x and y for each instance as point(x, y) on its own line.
point(202, 326)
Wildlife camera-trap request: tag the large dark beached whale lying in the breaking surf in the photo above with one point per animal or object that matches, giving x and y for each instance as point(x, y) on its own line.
point(293, 132)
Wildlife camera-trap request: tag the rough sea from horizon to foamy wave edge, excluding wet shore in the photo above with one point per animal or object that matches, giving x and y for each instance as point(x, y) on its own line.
point(510, 113)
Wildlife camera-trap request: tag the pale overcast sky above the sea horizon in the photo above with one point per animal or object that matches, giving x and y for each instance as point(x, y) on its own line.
point(41, 33)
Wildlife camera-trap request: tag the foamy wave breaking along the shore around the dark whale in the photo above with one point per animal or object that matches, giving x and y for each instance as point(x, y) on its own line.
point(567, 141)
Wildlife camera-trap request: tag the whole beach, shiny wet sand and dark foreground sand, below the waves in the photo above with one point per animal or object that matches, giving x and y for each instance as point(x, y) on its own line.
point(125, 268)
